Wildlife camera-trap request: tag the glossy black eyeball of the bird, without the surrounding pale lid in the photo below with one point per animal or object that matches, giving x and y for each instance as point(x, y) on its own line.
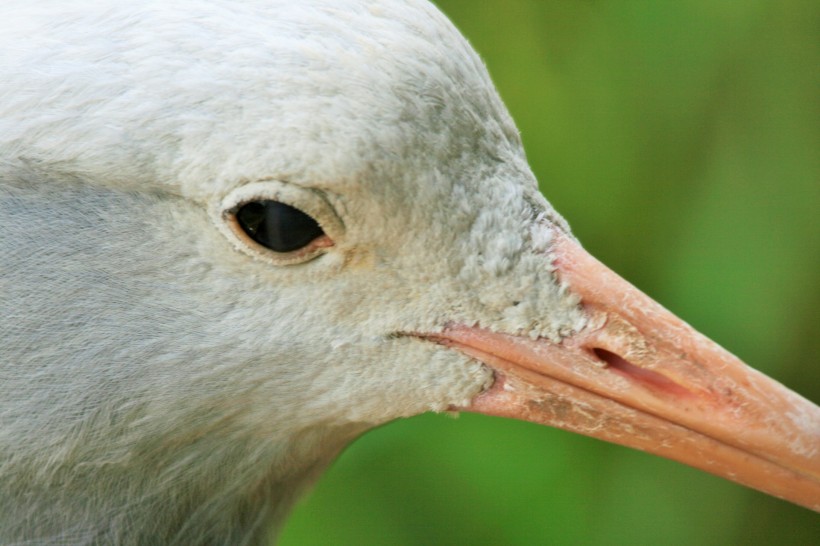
point(277, 226)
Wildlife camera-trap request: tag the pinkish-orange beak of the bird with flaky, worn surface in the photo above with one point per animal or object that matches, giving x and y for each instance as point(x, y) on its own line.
point(639, 376)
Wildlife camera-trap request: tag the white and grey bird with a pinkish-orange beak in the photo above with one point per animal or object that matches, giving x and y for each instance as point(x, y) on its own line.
point(237, 236)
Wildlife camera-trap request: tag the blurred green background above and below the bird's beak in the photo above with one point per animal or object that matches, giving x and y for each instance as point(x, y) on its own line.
point(682, 142)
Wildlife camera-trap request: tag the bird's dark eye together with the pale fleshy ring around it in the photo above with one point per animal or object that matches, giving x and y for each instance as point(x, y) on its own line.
point(273, 206)
